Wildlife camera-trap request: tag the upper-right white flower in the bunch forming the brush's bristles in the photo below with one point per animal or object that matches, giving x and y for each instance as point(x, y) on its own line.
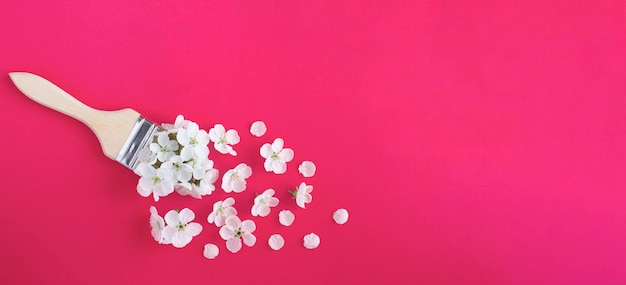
point(194, 141)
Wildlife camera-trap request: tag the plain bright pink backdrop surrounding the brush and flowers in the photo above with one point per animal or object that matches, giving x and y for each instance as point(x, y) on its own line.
point(478, 143)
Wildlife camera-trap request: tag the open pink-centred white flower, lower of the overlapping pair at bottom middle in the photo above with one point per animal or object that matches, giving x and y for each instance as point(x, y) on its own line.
point(234, 230)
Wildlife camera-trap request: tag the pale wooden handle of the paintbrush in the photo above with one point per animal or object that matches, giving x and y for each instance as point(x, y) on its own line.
point(111, 127)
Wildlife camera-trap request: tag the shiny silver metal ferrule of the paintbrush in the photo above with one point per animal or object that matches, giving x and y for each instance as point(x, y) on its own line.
point(140, 137)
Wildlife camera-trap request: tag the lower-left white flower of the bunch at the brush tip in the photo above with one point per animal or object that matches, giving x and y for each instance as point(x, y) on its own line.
point(158, 182)
